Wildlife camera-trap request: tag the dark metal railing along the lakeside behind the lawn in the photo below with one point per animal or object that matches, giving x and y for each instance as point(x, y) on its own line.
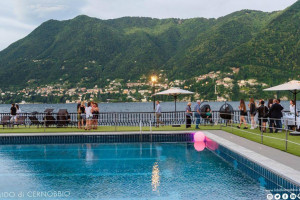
point(111, 118)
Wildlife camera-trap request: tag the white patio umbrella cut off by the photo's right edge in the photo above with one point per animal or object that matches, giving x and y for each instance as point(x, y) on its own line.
point(292, 86)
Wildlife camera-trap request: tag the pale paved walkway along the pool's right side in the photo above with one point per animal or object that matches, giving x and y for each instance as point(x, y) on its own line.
point(284, 164)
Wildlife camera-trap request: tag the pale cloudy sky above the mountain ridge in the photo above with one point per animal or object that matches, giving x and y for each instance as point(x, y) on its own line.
point(19, 17)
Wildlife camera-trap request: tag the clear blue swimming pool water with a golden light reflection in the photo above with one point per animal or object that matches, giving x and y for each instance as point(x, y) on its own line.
point(120, 171)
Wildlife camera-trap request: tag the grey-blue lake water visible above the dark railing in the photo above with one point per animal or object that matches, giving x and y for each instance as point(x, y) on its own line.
point(125, 107)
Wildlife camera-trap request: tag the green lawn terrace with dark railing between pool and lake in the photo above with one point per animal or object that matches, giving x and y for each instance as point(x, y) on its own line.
point(144, 124)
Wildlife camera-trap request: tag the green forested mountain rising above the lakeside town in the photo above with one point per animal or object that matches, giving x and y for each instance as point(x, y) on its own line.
point(87, 51)
